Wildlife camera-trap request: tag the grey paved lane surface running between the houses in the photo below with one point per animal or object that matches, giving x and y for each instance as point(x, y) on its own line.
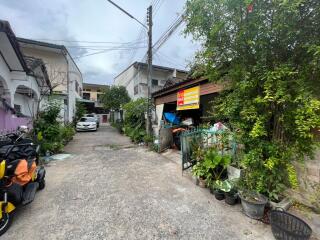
point(110, 189)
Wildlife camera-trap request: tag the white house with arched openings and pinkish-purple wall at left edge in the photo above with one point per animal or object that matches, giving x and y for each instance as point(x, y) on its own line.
point(23, 83)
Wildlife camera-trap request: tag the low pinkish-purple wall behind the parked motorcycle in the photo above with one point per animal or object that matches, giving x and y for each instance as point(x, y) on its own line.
point(8, 122)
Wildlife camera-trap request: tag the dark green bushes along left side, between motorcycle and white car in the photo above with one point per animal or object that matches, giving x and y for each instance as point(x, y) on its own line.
point(50, 134)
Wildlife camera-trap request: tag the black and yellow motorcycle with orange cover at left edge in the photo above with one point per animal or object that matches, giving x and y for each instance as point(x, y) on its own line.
point(20, 175)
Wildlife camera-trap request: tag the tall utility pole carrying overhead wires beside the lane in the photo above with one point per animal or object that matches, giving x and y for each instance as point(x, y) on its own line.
point(149, 79)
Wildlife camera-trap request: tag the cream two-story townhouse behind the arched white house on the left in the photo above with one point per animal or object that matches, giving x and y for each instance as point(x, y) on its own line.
point(64, 74)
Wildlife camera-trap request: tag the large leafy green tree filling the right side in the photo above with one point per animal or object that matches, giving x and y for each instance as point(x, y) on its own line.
point(267, 52)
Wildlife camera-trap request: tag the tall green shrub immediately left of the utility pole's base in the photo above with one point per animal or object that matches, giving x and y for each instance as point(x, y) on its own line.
point(134, 122)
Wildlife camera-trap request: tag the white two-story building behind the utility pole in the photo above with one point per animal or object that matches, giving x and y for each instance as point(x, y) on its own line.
point(134, 78)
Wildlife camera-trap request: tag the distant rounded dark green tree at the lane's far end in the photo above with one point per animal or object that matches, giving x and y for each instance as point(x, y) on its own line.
point(115, 97)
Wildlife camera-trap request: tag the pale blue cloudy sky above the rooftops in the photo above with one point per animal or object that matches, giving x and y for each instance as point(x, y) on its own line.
point(96, 27)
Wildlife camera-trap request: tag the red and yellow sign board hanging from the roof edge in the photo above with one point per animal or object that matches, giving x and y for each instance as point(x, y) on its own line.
point(188, 98)
